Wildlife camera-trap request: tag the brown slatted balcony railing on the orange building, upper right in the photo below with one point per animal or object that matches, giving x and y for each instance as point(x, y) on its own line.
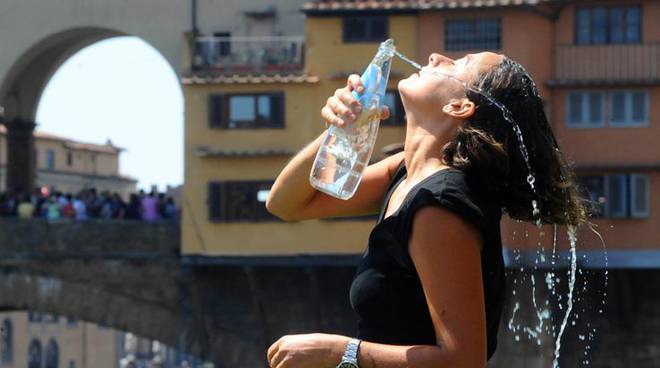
point(607, 64)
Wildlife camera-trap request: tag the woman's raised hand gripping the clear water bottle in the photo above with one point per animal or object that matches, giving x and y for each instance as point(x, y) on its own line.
point(342, 108)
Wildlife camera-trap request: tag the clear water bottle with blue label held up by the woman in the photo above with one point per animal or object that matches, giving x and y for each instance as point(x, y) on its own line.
point(345, 152)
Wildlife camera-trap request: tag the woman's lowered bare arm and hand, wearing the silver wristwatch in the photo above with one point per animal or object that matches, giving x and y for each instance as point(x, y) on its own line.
point(446, 253)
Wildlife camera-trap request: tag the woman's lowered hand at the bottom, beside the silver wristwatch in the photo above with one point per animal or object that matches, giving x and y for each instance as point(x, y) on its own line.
point(307, 351)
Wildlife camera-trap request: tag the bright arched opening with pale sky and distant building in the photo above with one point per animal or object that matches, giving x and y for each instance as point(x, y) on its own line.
point(118, 92)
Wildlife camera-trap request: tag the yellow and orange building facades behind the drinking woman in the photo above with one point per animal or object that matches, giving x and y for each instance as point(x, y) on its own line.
point(595, 65)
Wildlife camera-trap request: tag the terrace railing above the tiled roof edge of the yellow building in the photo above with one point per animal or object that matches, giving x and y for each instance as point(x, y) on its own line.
point(243, 55)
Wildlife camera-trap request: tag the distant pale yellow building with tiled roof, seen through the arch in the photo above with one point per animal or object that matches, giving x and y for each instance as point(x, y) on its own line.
point(69, 166)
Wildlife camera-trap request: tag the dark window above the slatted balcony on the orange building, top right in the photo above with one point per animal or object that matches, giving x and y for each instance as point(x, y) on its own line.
point(607, 25)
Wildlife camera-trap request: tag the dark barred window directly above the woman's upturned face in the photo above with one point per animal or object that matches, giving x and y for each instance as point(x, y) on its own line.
point(473, 34)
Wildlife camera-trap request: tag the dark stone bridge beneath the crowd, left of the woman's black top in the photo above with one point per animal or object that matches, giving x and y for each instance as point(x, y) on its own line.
point(130, 276)
